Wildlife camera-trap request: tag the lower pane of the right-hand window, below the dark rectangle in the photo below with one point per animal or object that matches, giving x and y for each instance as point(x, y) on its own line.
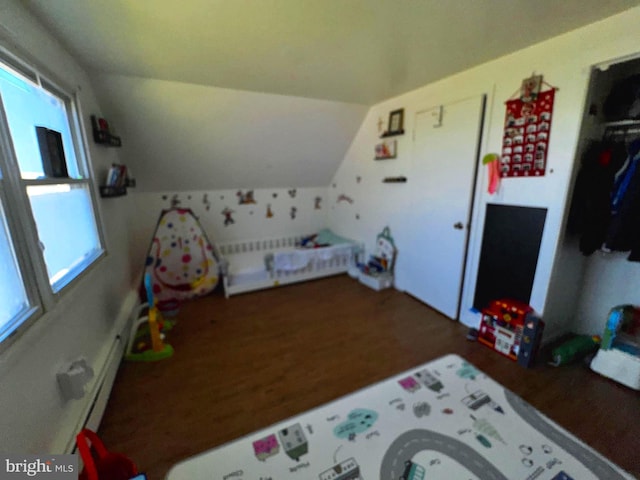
point(66, 229)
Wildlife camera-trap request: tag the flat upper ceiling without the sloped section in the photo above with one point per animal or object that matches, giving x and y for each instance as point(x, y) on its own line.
point(354, 51)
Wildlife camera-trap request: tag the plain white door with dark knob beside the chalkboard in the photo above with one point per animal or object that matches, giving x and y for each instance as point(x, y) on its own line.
point(445, 150)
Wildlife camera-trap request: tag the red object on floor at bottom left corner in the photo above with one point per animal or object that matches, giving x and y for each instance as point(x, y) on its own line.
point(100, 463)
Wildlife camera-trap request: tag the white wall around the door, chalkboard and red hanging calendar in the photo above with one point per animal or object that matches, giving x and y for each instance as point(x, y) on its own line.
point(565, 62)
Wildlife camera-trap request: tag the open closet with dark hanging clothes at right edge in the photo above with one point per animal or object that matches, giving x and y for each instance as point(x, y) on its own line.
point(600, 253)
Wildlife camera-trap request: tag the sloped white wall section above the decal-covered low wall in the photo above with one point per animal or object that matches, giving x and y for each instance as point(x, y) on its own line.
point(179, 136)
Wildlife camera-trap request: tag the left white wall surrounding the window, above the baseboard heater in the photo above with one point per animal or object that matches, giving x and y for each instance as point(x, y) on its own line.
point(34, 418)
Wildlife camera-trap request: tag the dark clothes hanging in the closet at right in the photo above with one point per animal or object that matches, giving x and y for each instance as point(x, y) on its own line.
point(605, 209)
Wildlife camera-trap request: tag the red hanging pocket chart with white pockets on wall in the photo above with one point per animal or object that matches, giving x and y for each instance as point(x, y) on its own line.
point(525, 141)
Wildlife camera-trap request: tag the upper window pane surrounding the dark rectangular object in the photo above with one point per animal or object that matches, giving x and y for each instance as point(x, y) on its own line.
point(28, 106)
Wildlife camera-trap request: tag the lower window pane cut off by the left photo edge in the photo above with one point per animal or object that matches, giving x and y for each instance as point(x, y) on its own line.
point(13, 298)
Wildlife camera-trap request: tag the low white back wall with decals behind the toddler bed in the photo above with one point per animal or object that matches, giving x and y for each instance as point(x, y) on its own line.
point(250, 220)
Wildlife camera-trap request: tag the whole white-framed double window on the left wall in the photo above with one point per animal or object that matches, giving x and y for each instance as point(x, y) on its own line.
point(48, 229)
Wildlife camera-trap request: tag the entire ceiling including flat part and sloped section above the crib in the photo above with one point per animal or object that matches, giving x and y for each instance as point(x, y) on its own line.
point(219, 94)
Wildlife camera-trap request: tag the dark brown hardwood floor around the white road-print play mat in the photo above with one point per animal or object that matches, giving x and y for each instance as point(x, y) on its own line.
point(255, 359)
